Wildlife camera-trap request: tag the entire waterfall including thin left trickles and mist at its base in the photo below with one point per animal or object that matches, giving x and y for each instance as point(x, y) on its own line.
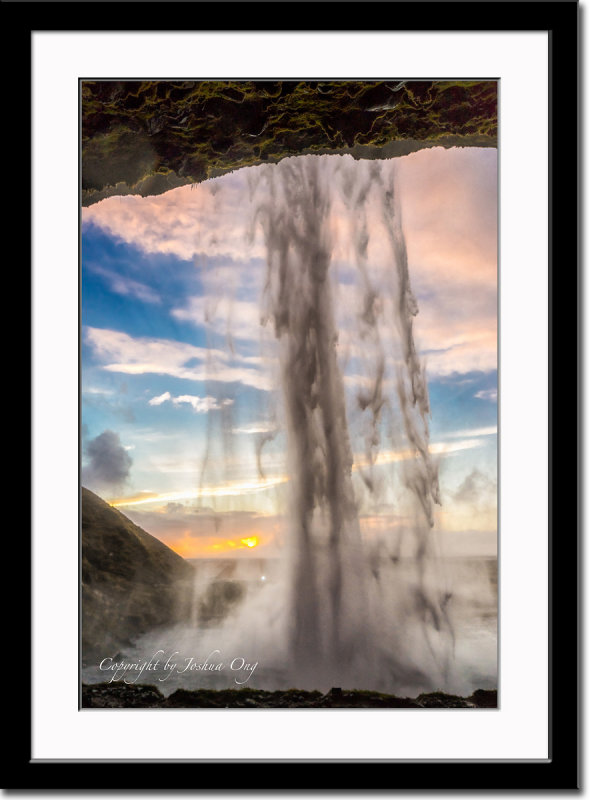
point(358, 598)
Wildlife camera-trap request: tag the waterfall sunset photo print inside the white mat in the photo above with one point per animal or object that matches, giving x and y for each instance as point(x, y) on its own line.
point(289, 394)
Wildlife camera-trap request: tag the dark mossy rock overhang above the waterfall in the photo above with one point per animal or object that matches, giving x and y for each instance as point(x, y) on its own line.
point(146, 137)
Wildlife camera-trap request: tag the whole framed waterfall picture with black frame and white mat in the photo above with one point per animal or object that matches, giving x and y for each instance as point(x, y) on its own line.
point(298, 304)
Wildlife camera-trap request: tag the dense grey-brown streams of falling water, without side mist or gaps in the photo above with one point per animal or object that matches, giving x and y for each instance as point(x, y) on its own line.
point(338, 618)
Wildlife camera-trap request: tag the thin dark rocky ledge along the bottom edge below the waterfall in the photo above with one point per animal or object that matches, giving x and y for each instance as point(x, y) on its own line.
point(120, 695)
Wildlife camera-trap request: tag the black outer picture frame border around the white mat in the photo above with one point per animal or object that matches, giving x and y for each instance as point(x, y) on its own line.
point(561, 770)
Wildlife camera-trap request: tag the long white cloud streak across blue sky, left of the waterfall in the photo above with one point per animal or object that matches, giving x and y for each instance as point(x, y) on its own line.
point(120, 352)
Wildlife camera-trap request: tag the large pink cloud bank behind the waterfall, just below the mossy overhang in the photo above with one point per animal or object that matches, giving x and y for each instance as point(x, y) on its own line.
point(449, 209)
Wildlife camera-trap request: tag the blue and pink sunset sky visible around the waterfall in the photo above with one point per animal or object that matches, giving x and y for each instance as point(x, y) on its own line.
point(181, 404)
